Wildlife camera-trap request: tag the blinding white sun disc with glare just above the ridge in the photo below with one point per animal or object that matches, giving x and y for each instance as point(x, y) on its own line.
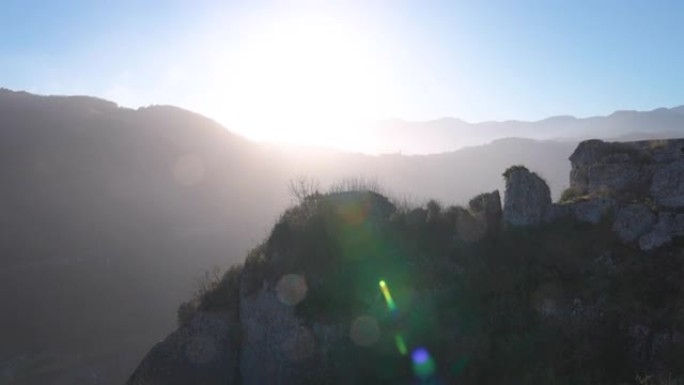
point(305, 80)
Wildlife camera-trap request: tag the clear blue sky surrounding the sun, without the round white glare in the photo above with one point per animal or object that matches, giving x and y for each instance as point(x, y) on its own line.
point(477, 60)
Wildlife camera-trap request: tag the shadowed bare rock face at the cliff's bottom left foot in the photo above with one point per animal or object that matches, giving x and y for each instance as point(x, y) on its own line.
point(203, 351)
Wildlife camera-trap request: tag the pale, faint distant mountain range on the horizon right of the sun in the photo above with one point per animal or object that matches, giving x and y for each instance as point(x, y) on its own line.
point(448, 134)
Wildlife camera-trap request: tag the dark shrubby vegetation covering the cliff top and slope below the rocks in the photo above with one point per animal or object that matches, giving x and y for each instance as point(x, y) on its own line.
point(562, 303)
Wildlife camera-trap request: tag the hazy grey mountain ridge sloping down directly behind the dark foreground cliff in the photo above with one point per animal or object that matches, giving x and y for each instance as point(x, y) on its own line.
point(110, 215)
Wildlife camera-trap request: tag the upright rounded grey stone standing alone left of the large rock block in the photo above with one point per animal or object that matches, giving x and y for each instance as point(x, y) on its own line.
point(527, 197)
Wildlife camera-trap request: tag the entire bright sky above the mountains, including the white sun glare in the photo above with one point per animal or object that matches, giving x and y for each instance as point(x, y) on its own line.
point(265, 68)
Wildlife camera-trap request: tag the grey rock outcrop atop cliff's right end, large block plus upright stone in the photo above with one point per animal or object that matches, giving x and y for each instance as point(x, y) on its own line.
point(630, 184)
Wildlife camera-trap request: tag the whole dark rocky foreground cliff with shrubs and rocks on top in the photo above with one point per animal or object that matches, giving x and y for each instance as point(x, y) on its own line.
point(348, 288)
